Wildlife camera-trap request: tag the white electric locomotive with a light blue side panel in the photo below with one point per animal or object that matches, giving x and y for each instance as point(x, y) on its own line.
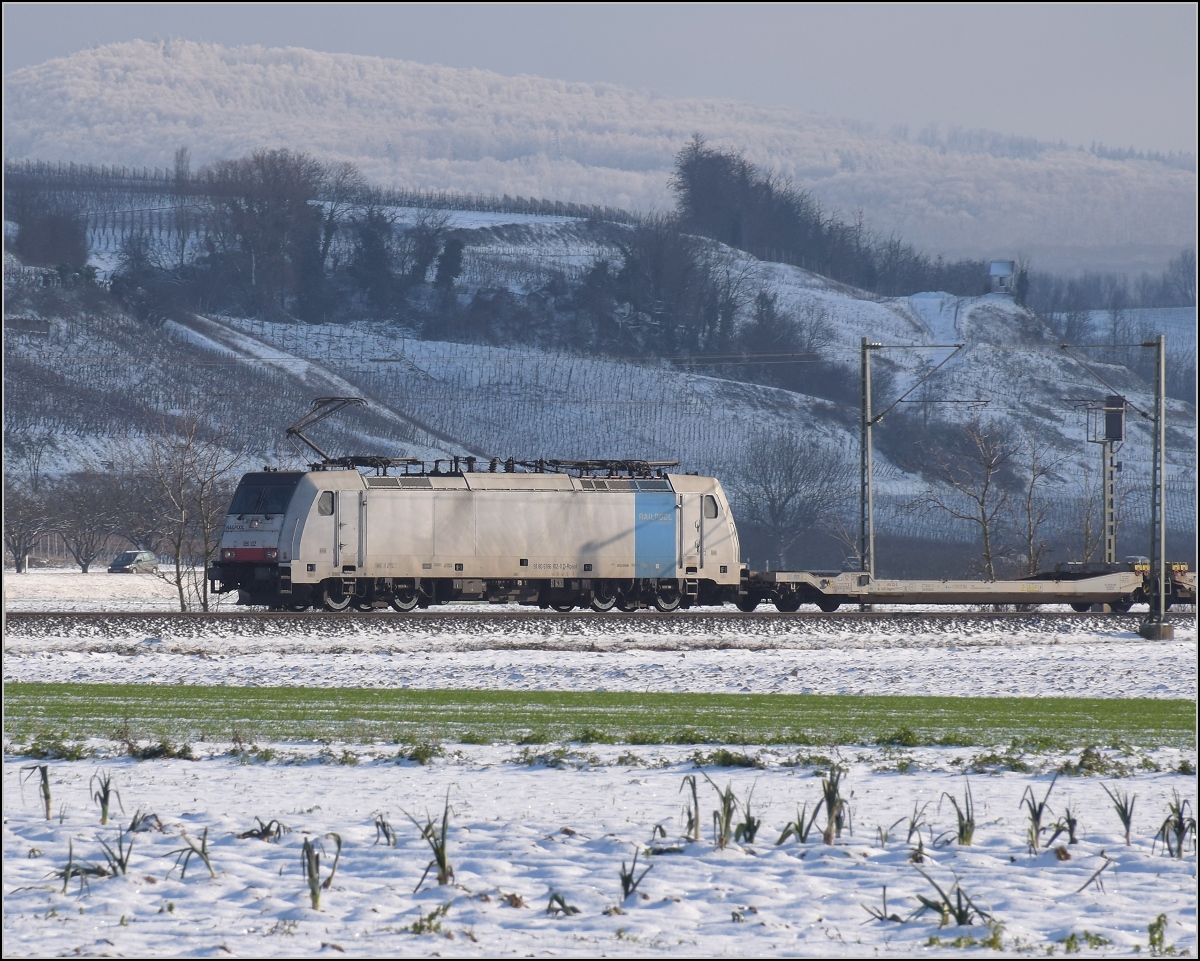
point(337, 539)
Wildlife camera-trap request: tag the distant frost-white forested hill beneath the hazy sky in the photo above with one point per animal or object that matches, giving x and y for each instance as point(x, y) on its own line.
point(437, 128)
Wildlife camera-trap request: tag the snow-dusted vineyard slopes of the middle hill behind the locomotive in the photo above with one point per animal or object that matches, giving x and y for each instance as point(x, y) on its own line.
point(433, 398)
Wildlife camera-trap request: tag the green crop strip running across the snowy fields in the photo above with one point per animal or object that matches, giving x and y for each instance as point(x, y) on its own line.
point(74, 712)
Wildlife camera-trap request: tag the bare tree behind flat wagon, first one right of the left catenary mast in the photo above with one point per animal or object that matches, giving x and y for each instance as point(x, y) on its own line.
point(971, 480)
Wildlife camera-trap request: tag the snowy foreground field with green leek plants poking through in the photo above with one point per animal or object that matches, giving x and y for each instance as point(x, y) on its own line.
point(518, 834)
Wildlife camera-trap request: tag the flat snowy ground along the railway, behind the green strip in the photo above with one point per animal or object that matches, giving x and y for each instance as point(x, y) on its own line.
point(1094, 658)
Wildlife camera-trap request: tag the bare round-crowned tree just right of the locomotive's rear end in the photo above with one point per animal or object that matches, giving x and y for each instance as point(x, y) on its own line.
point(788, 486)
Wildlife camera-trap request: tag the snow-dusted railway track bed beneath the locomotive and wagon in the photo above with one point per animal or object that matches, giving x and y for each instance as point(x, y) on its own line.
point(29, 626)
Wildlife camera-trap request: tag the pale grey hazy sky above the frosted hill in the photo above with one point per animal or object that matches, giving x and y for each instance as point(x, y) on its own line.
point(1120, 75)
